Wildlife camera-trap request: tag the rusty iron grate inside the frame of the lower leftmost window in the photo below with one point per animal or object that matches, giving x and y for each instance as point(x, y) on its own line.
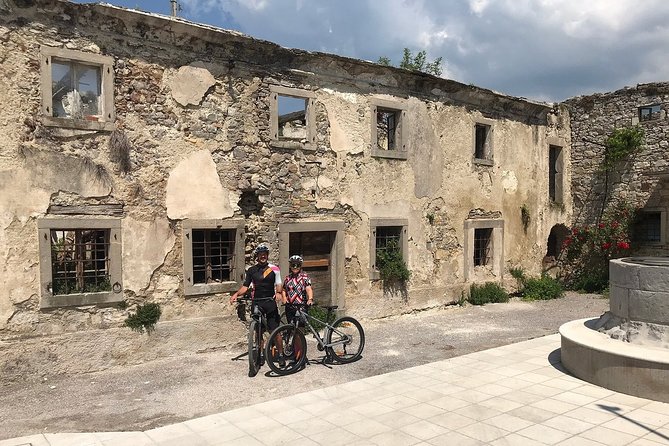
point(80, 261)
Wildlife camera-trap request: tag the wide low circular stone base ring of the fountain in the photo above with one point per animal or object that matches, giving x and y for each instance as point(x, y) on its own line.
point(628, 368)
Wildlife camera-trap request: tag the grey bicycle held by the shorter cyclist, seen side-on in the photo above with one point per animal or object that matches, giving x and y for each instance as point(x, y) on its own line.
point(286, 348)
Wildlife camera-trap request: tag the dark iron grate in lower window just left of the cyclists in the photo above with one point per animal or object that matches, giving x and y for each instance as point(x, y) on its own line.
point(213, 255)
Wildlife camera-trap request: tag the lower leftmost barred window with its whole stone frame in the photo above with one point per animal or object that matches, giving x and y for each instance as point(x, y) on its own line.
point(80, 261)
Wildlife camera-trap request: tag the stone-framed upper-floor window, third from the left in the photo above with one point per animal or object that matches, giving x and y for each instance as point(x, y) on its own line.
point(388, 125)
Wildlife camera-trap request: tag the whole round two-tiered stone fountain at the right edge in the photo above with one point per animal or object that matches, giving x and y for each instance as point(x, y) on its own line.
point(627, 348)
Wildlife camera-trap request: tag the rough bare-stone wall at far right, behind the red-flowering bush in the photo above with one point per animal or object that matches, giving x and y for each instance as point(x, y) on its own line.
point(641, 180)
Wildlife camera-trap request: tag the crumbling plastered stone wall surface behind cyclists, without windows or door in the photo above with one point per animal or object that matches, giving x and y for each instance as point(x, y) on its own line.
point(194, 104)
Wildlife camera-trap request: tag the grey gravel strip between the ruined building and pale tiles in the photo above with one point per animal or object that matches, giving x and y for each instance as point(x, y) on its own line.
point(175, 389)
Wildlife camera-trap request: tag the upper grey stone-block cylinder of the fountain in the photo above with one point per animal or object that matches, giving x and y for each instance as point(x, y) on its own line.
point(639, 289)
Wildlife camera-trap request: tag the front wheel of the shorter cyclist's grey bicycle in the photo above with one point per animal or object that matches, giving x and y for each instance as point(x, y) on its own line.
point(286, 350)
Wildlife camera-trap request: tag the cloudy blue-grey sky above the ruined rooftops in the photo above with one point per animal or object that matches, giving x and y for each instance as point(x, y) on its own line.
point(544, 50)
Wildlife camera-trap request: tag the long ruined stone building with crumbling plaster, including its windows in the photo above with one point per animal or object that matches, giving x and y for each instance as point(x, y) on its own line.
point(142, 158)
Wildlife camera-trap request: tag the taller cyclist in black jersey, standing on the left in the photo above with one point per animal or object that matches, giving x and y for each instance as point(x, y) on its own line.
point(266, 279)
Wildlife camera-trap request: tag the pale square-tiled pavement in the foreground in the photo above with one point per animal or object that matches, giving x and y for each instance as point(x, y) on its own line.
point(512, 395)
